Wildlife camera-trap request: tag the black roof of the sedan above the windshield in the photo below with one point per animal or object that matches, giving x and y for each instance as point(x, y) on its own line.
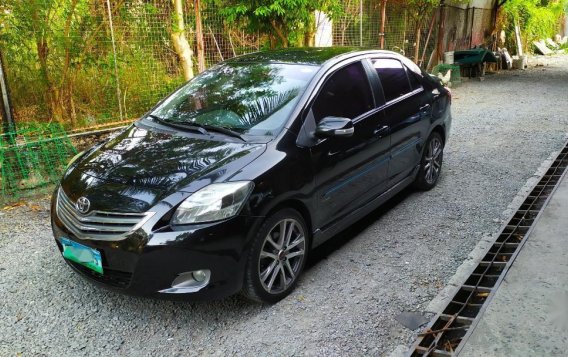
point(316, 56)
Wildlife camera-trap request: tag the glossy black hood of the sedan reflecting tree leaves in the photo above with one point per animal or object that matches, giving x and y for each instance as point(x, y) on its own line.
point(160, 161)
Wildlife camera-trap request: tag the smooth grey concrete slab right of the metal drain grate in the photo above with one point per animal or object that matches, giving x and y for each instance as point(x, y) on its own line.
point(529, 314)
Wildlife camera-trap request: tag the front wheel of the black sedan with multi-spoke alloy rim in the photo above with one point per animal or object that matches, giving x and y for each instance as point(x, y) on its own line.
point(276, 260)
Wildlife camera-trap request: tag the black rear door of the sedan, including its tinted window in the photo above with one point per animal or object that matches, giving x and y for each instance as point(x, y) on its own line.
point(406, 114)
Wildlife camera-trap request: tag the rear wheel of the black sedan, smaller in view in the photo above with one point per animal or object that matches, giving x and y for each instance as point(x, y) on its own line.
point(430, 163)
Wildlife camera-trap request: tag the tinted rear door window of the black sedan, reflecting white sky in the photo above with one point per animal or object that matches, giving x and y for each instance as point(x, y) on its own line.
point(393, 78)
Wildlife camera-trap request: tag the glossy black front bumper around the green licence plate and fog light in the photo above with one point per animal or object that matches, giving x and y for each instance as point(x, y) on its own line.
point(146, 262)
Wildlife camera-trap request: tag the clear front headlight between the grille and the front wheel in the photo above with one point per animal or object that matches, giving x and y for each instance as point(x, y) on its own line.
point(213, 203)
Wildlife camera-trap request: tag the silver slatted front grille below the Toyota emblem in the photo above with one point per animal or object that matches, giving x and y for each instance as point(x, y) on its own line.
point(98, 225)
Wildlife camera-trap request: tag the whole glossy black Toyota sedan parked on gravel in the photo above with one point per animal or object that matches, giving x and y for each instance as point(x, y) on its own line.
point(228, 183)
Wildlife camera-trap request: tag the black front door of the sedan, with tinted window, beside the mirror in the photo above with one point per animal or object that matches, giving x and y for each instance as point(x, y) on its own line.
point(349, 171)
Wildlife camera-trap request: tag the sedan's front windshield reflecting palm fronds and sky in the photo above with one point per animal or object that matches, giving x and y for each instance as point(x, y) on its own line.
point(250, 98)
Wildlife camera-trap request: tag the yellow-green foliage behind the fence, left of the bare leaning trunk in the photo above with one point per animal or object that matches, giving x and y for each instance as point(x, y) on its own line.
point(60, 60)
